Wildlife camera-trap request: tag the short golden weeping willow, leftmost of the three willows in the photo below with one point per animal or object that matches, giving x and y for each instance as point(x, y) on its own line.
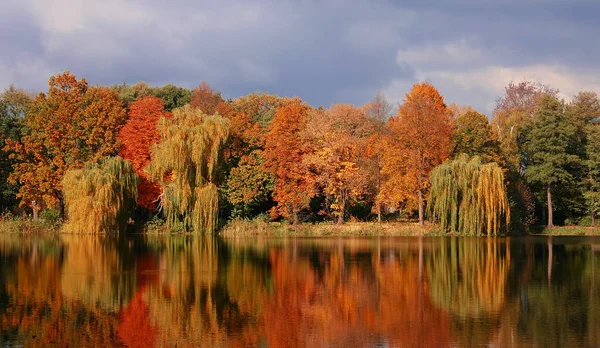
point(98, 197)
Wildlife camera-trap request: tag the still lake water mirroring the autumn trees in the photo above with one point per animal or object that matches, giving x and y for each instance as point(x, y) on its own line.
point(295, 292)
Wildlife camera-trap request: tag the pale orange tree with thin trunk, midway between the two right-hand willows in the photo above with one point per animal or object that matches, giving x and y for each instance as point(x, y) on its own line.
point(337, 138)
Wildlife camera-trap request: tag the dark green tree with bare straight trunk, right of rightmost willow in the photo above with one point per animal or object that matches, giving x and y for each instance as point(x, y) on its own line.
point(547, 142)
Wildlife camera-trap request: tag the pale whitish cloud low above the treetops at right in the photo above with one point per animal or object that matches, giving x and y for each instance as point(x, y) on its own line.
point(466, 72)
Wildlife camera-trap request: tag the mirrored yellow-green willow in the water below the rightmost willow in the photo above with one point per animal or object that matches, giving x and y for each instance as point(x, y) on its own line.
point(469, 277)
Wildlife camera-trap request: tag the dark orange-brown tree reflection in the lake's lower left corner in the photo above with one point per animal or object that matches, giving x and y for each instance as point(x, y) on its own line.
point(40, 315)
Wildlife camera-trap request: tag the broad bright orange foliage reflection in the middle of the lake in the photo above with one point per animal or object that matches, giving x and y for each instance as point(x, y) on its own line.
point(348, 302)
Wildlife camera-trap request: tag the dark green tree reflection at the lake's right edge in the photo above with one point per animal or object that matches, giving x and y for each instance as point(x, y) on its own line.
point(562, 312)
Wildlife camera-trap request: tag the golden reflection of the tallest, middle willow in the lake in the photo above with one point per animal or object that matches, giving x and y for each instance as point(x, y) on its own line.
point(183, 305)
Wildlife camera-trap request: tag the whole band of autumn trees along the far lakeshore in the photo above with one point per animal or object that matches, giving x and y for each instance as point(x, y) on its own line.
point(102, 157)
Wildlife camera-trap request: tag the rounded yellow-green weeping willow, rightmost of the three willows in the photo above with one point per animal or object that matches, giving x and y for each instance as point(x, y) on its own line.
point(469, 197)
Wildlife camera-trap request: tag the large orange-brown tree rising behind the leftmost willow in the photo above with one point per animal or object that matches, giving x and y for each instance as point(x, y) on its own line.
point(69, 126)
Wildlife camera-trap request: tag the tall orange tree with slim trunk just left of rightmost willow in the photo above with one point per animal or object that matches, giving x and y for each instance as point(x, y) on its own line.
point(420, 140)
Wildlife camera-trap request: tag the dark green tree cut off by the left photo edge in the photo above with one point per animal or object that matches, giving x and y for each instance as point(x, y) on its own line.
point(14, 105)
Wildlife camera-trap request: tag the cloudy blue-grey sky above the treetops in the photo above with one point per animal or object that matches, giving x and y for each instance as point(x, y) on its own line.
point(323, 51)
